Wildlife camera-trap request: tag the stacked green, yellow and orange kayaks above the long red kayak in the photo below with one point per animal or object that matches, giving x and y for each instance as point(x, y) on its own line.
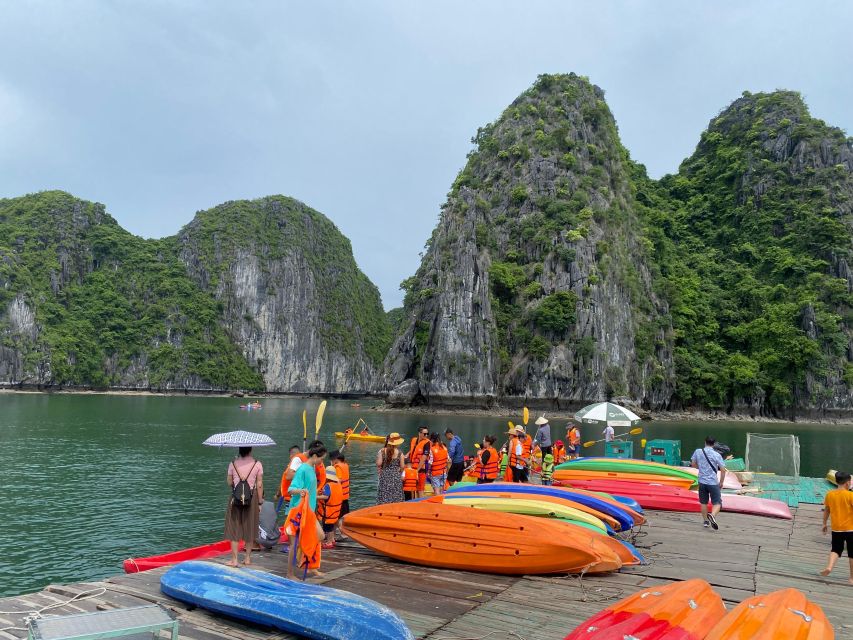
point(623, 469)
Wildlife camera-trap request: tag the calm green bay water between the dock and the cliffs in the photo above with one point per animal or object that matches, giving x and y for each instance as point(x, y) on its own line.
point(88, 481)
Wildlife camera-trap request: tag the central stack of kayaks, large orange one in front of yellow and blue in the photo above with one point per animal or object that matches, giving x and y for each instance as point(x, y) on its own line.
point(505, 528)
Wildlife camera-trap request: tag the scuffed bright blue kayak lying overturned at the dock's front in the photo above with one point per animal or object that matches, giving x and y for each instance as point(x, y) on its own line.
point(308, 610)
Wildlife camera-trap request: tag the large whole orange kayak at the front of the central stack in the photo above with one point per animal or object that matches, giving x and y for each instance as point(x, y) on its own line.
point(450, 537)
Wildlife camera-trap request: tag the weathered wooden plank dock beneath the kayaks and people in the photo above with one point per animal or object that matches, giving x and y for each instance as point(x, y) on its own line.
point(748, 555)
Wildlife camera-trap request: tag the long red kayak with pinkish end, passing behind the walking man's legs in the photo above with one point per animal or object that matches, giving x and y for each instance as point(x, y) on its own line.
point(668, 498)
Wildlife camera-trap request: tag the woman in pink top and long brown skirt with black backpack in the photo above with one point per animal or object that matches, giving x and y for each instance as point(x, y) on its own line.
point(241, 517)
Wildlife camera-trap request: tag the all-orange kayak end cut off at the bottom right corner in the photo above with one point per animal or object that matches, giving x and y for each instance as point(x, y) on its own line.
point(781, 615)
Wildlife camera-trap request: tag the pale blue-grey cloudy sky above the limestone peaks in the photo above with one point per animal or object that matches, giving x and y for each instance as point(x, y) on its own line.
point(365, 110)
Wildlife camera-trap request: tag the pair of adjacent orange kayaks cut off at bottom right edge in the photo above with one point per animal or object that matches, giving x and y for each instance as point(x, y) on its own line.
point(691, 610)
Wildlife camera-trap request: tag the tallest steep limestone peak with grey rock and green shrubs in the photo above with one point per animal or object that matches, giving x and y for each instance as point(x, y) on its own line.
point(535, 283)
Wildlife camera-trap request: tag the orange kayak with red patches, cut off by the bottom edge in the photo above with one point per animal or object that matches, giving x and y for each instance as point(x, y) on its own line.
point(677, 611)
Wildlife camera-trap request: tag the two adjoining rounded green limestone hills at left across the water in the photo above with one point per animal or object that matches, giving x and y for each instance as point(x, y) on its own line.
point(251, 295)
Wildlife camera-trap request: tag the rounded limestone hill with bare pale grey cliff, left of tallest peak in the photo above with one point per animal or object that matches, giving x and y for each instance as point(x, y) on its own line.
point(291, 294)
